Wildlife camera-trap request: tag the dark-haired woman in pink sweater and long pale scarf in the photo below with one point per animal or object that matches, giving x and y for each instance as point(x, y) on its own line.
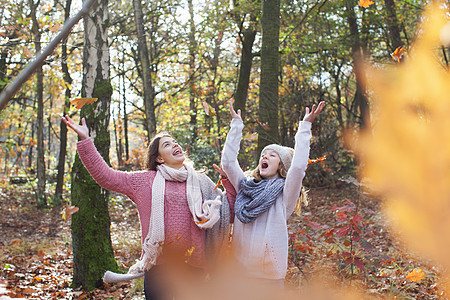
point(182, 215)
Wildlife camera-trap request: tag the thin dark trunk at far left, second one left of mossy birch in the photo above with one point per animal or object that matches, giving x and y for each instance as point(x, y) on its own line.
point(40, 197)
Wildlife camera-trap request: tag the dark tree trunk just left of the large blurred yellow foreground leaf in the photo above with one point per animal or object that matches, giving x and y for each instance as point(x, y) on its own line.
point(357, 55)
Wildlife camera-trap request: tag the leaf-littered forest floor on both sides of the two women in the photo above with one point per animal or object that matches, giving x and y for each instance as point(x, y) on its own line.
point(36, 256)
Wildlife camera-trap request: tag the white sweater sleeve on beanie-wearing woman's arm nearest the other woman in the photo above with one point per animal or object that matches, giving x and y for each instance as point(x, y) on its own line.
point(230, 152)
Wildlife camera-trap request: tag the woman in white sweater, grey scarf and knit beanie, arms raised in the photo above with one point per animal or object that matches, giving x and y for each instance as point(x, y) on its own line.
point(265, 199)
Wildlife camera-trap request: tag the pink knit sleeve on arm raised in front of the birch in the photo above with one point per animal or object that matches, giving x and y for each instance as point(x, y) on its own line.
point(104, 175)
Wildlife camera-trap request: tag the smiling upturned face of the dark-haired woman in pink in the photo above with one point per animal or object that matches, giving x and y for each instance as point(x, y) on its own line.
point(170, 153)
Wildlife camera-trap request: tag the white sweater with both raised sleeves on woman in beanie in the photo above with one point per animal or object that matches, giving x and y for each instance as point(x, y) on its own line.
point(261, 246)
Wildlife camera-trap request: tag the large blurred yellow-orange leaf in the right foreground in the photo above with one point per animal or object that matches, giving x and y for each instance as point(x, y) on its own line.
point(406, 154)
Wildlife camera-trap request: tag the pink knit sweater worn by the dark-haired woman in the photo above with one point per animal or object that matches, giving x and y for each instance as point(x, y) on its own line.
point(181, 233)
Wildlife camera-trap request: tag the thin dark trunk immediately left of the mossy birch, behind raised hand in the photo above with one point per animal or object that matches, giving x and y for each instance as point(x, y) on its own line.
point(62, 126)
